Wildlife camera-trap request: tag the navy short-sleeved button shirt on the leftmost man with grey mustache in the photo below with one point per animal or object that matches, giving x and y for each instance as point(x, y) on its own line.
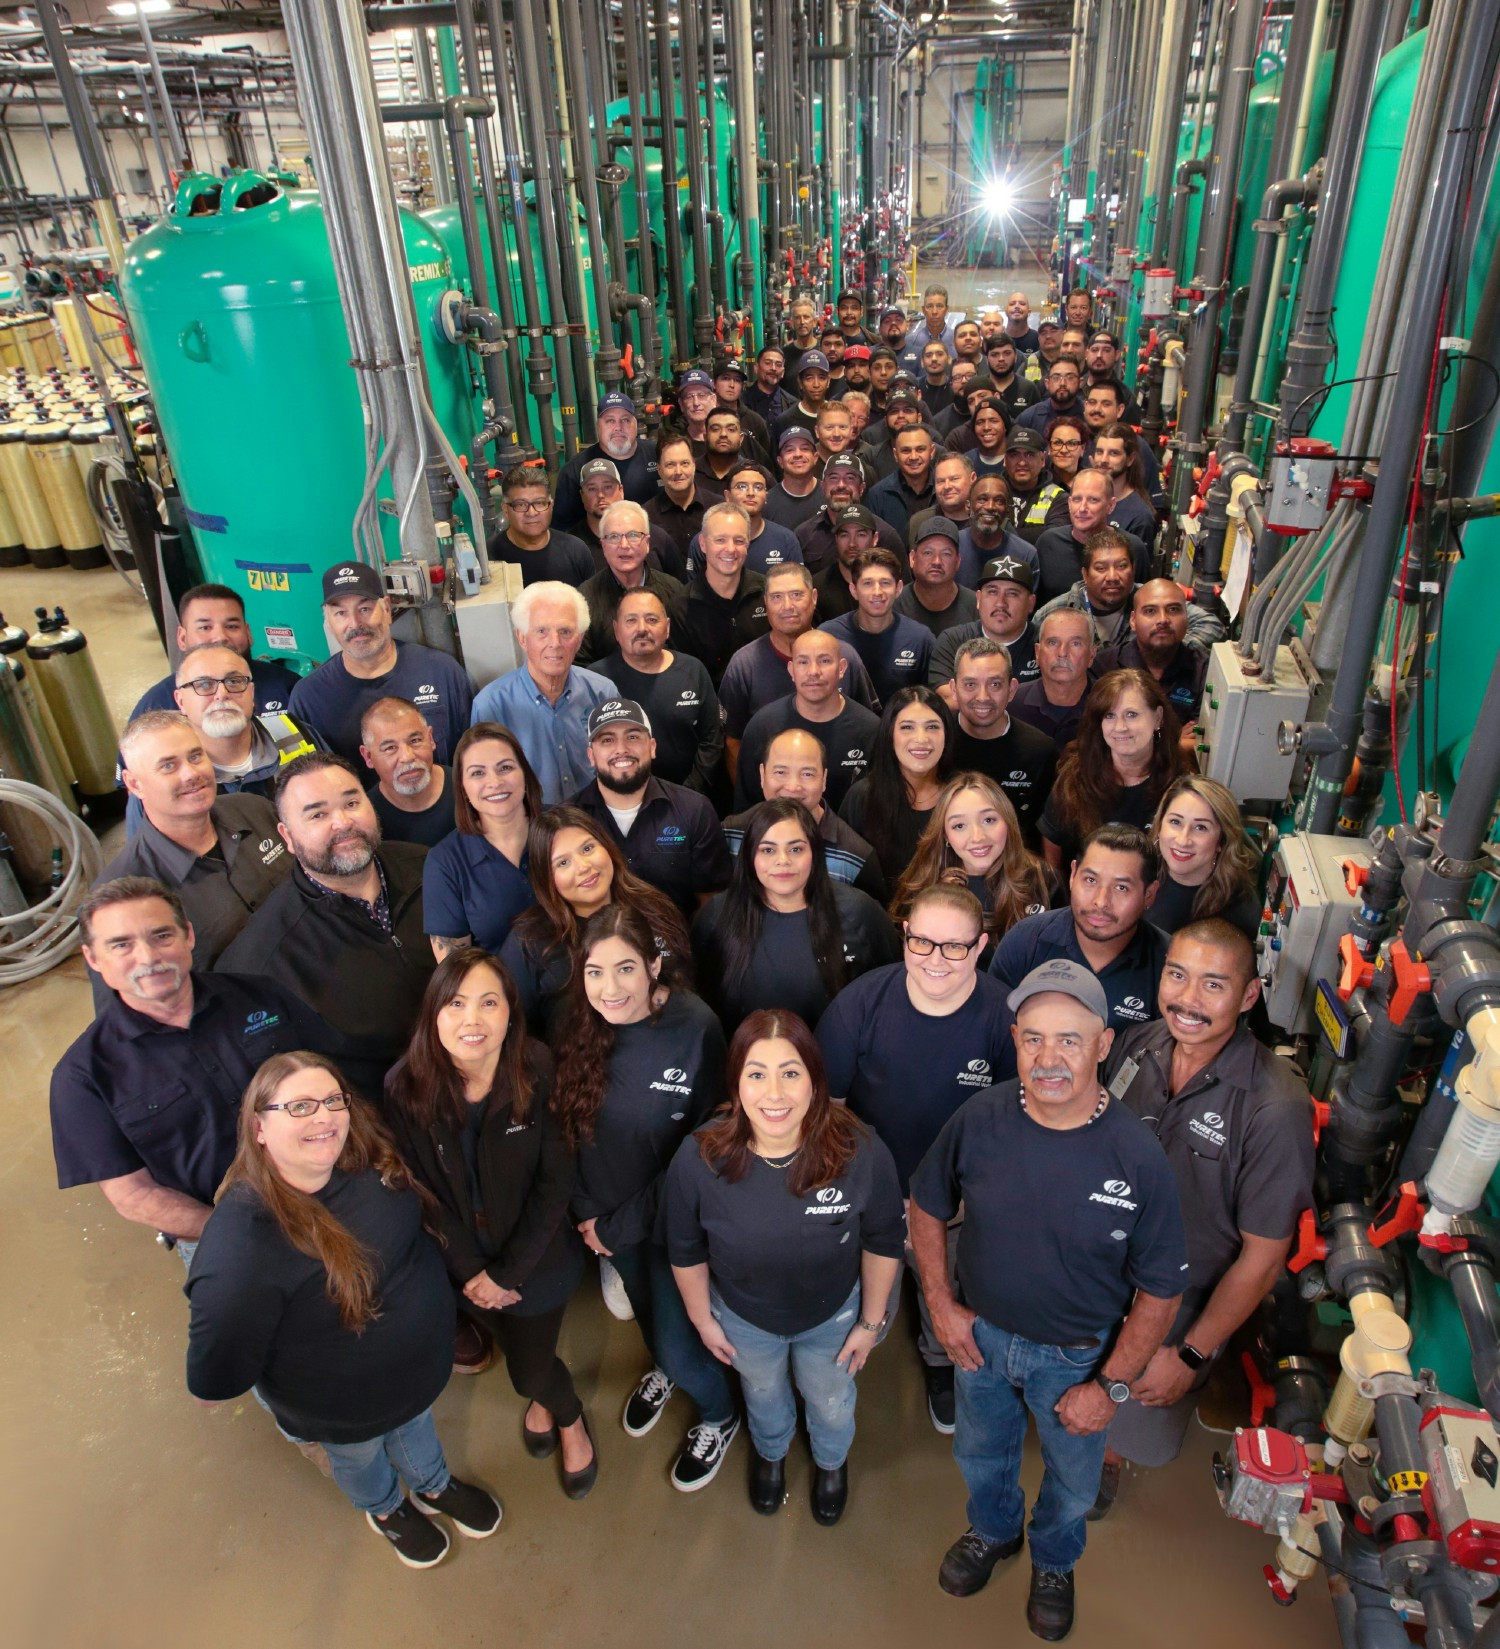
point(134, 1094)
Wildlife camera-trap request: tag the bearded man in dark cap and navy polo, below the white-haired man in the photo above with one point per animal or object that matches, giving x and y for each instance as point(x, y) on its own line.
point(670, 835)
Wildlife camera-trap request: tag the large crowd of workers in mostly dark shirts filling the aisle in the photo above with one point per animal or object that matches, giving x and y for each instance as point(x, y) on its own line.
point(764, 956)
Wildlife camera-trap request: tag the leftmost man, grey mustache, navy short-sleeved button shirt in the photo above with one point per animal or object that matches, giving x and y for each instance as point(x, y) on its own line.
point(146, 1102)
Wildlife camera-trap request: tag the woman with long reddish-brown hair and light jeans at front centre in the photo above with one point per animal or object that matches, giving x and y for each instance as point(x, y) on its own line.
point(785, 1231)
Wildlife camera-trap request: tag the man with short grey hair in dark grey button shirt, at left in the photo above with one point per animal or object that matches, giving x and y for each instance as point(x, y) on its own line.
point(218, 853)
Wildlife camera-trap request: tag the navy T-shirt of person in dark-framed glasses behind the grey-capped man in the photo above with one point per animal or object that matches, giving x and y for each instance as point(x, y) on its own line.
point(907, 1073)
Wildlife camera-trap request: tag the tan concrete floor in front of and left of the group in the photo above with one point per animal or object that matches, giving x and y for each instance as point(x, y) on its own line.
point(139, 1521)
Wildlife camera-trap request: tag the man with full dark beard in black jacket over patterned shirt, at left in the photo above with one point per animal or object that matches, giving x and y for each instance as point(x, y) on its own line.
point(345, 931)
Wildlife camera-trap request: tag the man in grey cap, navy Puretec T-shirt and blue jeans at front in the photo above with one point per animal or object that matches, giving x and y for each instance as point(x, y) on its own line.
point(1071, 1267)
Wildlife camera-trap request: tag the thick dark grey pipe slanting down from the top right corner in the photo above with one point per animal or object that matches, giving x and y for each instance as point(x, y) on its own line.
point(1478, 45)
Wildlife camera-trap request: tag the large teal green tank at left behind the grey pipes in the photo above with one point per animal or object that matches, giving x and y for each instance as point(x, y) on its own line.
point(235, 311)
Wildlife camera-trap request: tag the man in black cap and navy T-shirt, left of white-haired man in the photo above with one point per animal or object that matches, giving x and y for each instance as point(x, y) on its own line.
point(372, 665)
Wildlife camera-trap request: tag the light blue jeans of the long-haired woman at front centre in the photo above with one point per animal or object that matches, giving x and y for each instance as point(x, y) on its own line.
point(774, 1368)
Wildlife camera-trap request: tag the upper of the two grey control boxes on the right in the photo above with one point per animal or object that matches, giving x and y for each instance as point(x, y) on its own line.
point(1240, 720)
